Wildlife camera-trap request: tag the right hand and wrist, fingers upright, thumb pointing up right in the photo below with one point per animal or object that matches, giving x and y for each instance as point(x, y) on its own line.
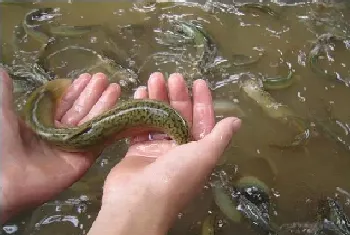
point(144, 193)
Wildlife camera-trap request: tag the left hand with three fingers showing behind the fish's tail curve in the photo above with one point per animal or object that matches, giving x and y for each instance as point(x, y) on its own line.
point(32, 171)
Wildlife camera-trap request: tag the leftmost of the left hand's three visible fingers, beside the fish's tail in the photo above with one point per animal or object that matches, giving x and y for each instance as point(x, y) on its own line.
point(72, 95)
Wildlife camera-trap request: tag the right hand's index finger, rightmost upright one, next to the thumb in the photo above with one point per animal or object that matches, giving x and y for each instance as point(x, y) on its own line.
point(203, 110)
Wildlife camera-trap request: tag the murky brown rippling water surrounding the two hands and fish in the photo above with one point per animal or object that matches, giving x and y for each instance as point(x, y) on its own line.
point(250, 44)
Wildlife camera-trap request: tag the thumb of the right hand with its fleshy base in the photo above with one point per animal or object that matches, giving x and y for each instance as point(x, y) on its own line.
point(197, 159)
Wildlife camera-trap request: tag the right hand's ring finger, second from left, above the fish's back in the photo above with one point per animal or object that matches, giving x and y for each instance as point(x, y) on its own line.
point(157, 87)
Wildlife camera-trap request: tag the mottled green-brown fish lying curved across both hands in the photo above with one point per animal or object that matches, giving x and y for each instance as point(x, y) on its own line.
point(126, 116)
